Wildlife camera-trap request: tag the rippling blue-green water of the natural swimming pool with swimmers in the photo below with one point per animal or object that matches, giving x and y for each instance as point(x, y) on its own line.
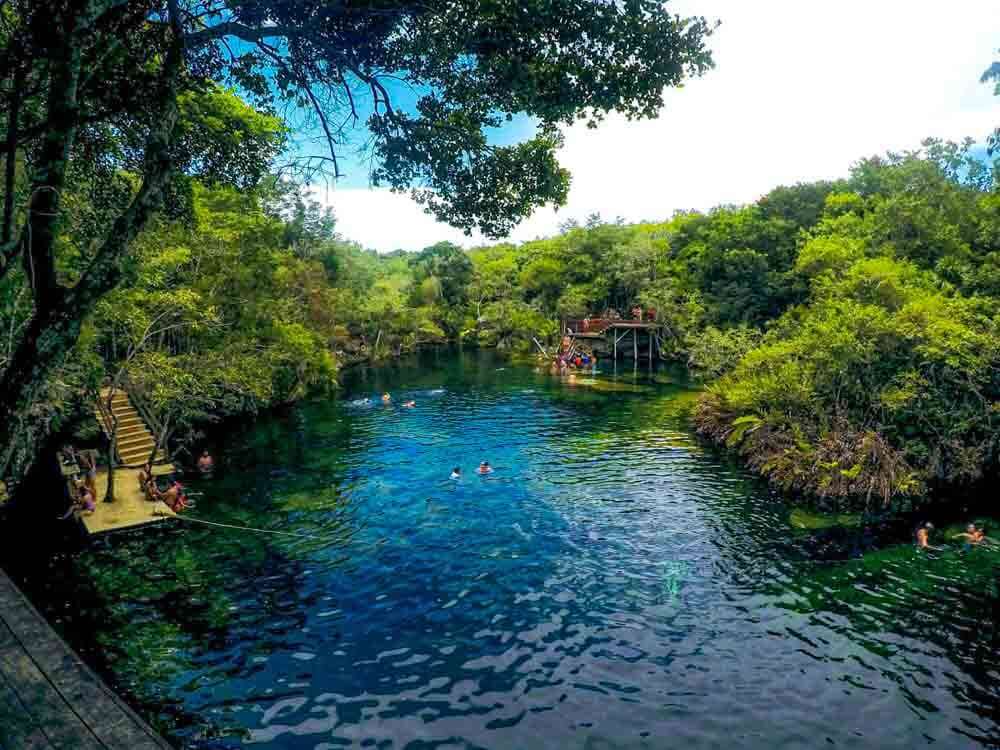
point(612, 584)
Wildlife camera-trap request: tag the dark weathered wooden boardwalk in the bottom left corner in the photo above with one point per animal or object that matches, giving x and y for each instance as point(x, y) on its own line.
point(49, 698)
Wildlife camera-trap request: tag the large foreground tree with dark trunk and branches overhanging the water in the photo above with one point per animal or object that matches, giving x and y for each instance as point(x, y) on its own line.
point(113, 87)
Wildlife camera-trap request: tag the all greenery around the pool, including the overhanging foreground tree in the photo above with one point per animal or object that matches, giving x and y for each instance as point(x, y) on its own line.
point(157, 225)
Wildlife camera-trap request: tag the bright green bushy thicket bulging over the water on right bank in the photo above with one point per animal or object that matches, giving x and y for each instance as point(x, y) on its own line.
point(886, 380)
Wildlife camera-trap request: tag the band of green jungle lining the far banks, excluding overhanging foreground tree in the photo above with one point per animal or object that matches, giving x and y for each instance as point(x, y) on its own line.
point(847, 332)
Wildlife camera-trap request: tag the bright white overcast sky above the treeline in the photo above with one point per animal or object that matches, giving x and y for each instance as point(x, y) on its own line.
point(800, 91)
